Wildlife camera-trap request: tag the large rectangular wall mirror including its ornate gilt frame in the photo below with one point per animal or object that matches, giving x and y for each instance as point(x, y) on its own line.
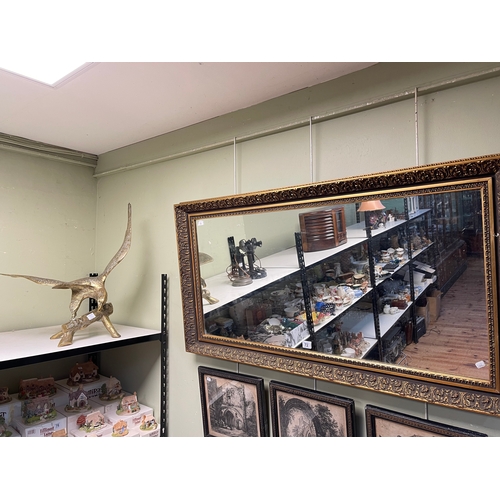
point(386, 282)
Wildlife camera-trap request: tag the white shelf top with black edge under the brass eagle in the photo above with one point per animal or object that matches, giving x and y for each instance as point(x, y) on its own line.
point(35, 344)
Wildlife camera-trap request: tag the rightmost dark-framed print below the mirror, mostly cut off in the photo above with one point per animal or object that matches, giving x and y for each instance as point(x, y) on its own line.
point(386, 423)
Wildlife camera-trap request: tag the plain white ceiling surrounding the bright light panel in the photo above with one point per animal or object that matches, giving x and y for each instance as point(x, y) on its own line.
point(109, 105)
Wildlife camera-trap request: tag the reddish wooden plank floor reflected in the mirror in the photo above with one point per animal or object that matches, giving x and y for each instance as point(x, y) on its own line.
point(458, 339)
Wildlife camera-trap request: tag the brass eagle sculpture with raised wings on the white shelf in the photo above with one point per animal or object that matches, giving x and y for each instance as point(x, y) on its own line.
point(92, 287)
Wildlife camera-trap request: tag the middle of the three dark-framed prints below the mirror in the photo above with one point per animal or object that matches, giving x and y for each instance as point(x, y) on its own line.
point(298, 412)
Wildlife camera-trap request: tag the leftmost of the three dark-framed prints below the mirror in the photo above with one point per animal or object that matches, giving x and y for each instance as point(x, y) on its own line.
point(232, 405)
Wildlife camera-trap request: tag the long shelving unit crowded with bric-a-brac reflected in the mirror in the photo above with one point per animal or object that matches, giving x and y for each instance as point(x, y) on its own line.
point(256, 312)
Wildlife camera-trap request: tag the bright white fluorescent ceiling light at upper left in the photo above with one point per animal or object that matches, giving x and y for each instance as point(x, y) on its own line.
point(46, 72)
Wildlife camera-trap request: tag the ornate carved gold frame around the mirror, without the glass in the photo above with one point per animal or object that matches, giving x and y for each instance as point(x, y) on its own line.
point(435, 388)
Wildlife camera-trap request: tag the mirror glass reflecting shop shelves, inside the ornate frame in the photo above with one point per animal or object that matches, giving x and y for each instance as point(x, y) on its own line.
point(393, 280)
